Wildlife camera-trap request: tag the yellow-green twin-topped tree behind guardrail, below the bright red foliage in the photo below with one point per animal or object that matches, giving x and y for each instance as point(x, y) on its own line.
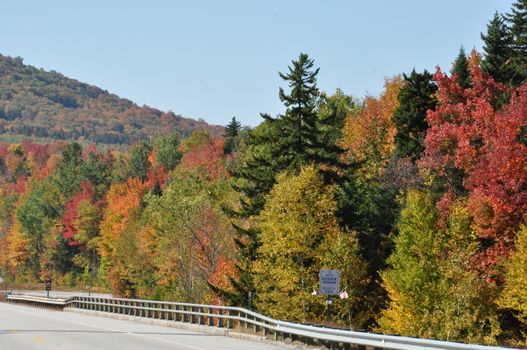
point(433, 292)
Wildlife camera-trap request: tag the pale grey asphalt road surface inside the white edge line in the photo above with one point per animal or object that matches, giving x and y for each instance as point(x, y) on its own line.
point(23, 328)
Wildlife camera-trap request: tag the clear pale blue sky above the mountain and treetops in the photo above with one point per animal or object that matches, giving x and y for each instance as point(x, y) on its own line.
point(219, 59)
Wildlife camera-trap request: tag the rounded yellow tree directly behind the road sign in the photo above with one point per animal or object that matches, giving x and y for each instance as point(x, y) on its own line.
point(299, 237)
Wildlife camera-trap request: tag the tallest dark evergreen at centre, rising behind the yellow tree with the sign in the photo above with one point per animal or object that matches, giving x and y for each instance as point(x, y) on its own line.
point(297, 138)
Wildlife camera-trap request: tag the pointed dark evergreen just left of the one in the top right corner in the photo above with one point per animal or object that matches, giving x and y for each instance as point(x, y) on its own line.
point(497, 49)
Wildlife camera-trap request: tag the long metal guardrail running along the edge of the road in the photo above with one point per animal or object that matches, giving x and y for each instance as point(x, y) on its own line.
point(248, 321)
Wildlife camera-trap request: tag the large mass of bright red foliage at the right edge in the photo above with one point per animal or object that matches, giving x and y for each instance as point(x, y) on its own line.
point(475, 145)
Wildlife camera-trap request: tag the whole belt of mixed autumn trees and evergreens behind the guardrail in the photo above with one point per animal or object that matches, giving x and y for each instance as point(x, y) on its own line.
point(418, 196)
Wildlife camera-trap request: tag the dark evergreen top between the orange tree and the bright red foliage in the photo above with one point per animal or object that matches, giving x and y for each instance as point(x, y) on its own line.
point(416, 97)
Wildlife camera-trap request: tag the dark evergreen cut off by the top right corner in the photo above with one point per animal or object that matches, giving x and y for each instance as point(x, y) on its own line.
point(517, 21)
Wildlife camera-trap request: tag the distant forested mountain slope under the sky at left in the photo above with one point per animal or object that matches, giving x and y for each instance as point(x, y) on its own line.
point(37, 103)
